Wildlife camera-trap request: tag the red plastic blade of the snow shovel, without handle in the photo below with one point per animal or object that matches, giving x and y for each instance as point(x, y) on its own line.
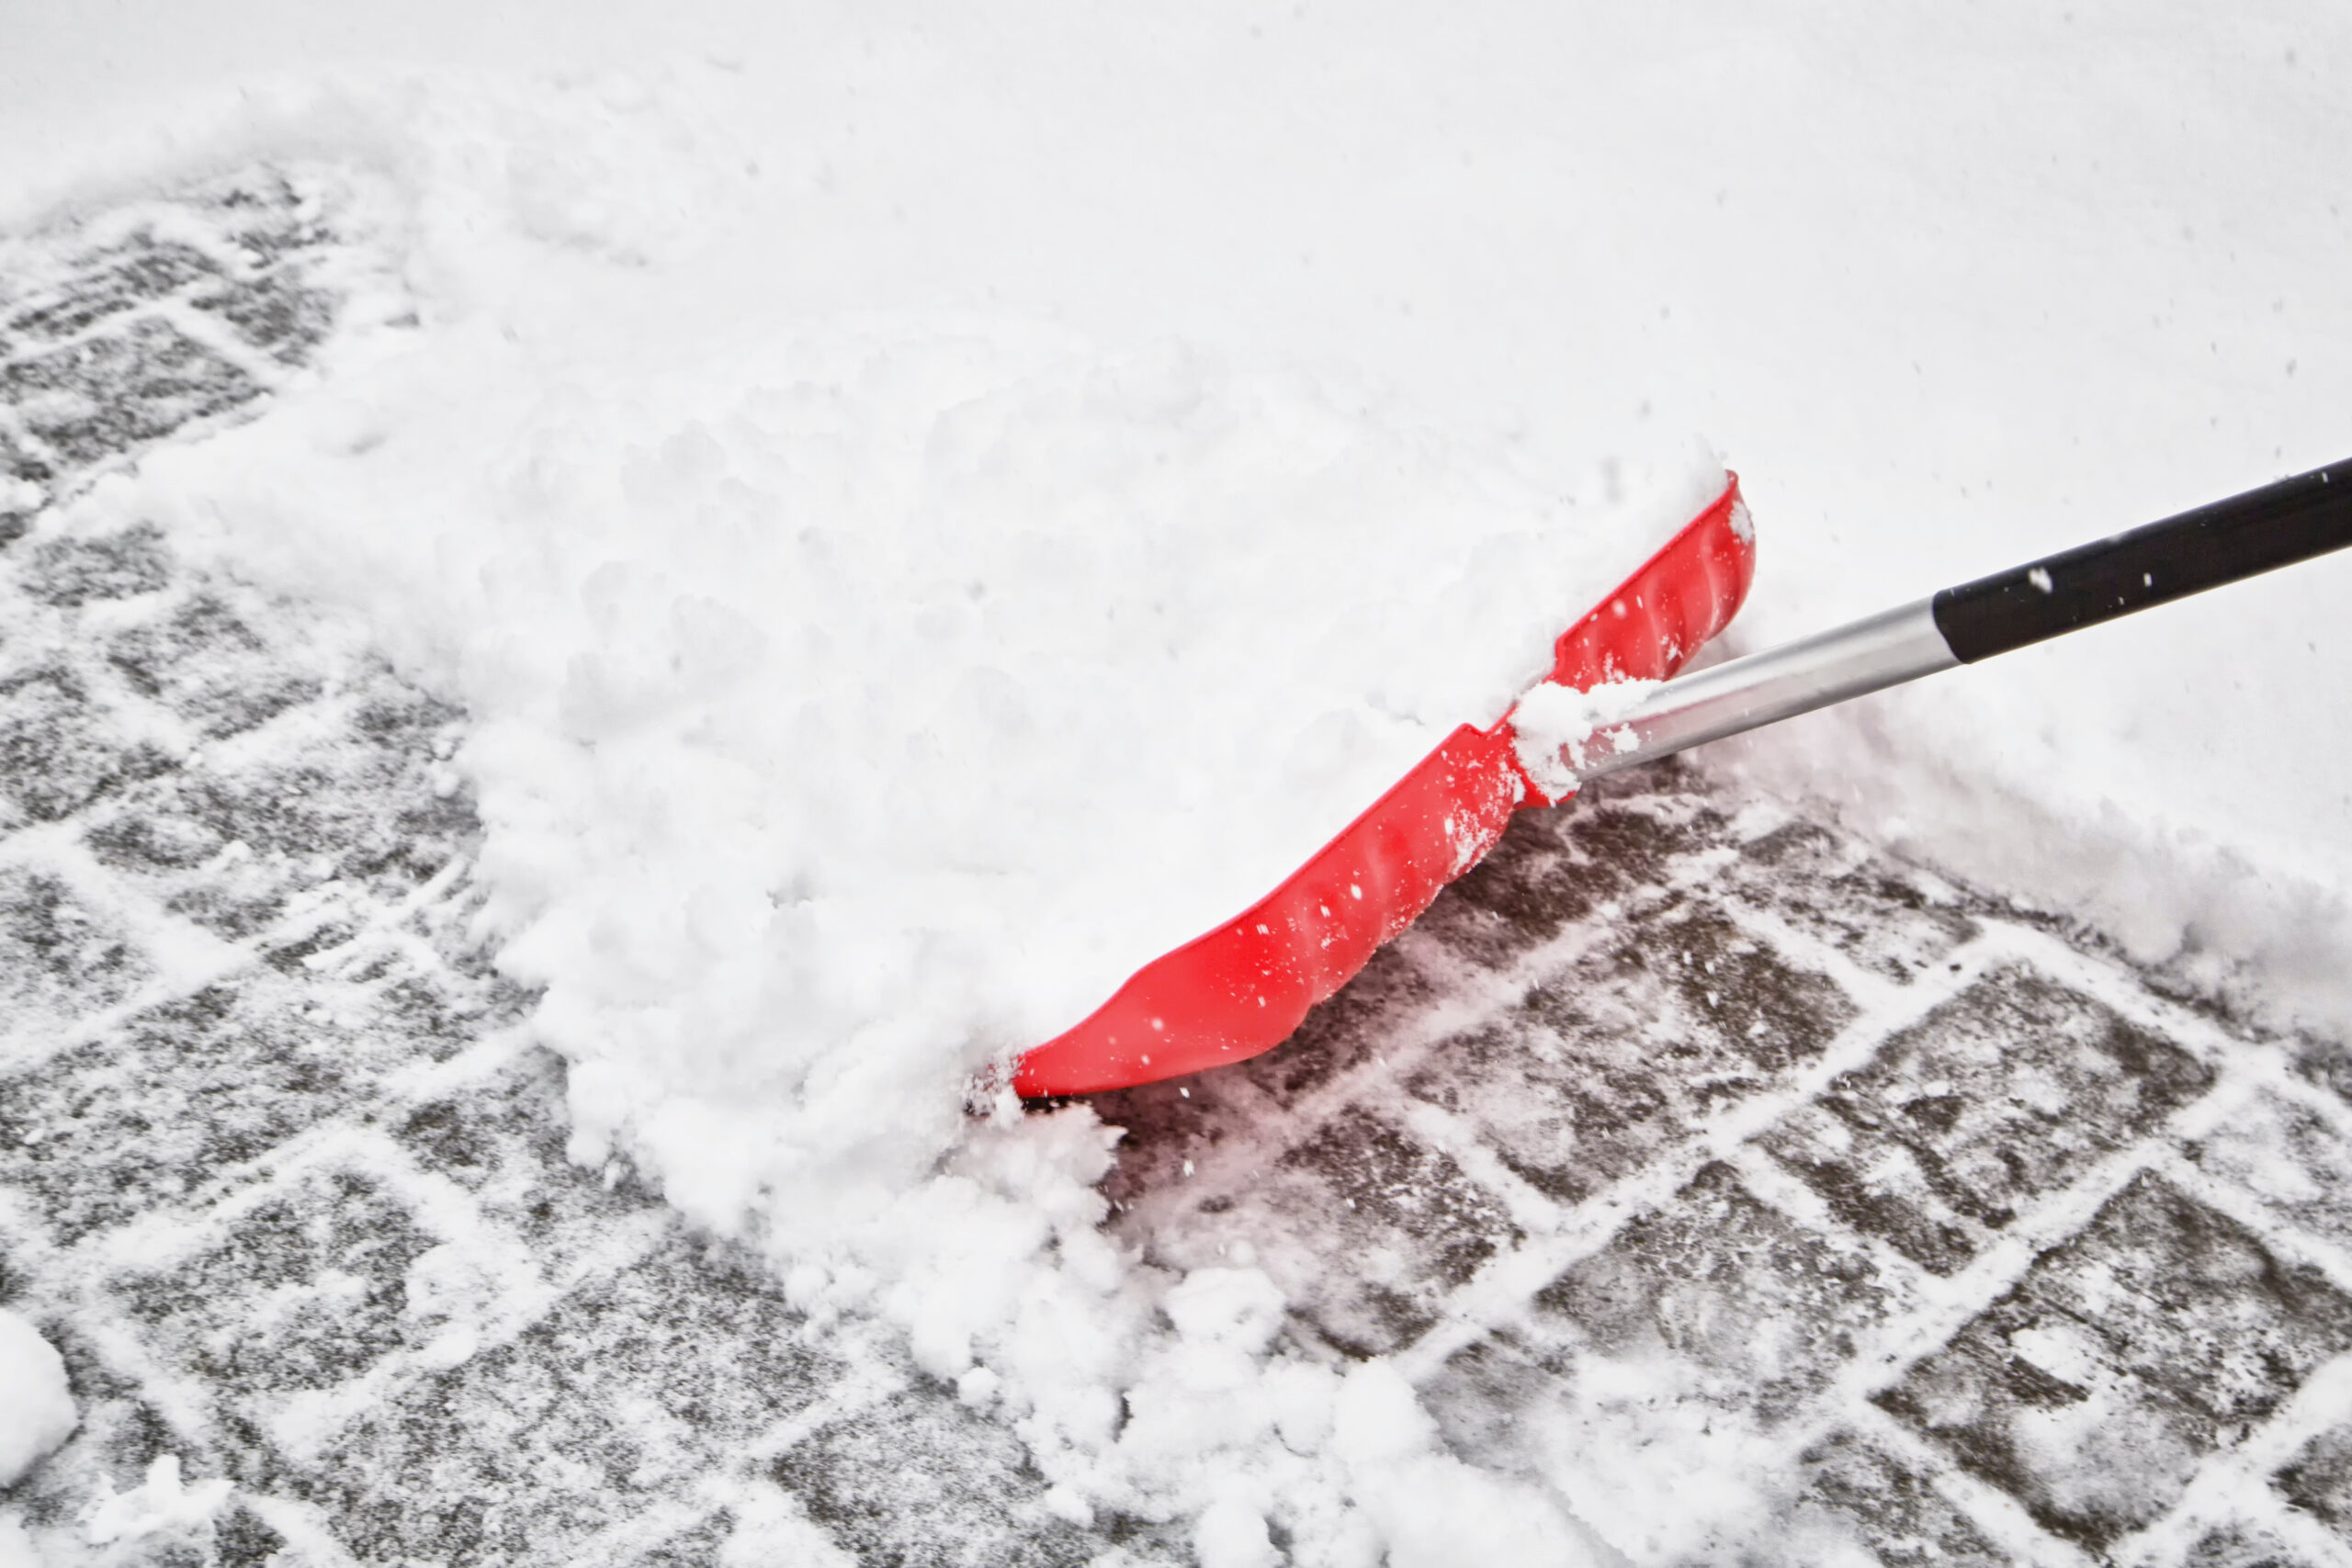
point(1245, 986)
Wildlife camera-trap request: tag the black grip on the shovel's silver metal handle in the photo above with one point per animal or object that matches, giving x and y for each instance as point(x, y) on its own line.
point(2167, 561)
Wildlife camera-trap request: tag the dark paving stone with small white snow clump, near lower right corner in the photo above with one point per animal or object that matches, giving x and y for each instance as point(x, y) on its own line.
point(2127, 1355)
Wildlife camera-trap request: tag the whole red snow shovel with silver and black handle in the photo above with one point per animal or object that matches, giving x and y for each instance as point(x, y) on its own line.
point(1245, 986)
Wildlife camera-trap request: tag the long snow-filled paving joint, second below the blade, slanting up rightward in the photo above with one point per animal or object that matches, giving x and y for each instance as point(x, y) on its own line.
point(1511, 1280)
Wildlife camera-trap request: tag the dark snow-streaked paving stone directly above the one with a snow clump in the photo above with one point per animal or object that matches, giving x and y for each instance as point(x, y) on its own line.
point(1998, 1097)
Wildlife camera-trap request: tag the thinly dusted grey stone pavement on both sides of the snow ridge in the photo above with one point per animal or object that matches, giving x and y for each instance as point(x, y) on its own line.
point(1772, 1200)
